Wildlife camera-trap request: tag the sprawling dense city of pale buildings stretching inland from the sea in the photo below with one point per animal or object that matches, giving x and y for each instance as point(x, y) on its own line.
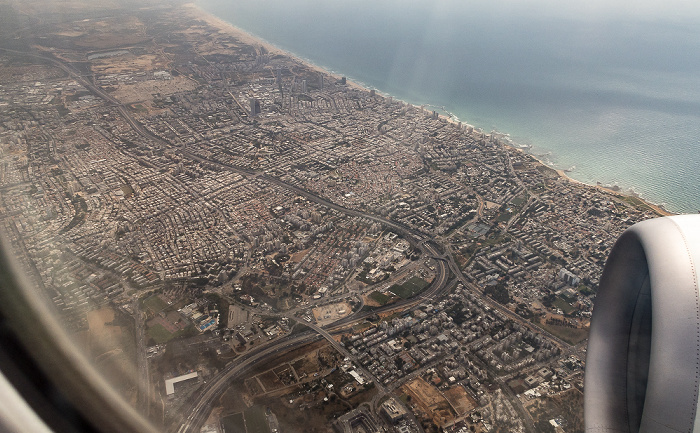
point(241, 242)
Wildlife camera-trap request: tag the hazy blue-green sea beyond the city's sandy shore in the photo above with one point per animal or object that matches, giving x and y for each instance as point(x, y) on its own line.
point(610, 92)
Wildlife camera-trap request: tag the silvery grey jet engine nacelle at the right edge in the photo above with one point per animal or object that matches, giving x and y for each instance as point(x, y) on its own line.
point(643, 359)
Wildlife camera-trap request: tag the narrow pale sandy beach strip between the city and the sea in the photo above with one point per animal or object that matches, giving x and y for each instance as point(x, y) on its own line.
point(247, 38)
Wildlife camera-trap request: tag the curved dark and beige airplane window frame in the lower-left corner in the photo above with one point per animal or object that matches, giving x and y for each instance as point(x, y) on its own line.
point(44, 366)
